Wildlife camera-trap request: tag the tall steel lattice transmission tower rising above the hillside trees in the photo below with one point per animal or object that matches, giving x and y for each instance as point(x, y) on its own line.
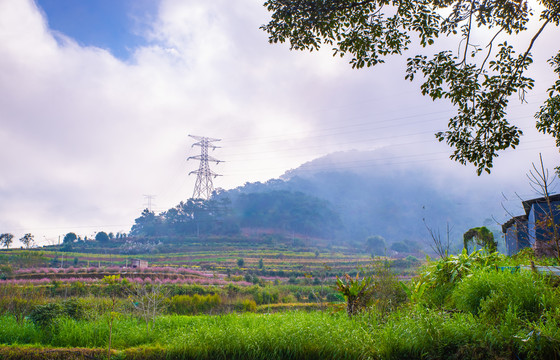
point(204, 187)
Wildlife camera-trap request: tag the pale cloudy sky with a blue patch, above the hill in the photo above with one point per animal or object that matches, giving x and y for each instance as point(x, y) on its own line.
point(97, 100)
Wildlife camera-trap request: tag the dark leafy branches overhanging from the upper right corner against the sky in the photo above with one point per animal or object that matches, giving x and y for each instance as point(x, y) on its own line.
point(477, 80)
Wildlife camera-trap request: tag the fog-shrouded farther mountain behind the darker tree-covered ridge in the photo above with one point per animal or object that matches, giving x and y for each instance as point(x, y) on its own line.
point(393, 201)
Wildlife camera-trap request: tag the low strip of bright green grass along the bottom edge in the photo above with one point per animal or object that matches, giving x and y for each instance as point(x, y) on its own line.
point(411, 333)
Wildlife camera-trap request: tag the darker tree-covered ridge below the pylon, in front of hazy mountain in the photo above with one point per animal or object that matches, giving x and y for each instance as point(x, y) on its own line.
point(279, 210)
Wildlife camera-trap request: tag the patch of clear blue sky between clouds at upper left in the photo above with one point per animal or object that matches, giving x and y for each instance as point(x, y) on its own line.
point(117, 25)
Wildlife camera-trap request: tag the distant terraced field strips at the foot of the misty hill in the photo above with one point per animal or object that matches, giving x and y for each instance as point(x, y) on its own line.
point(220, 258)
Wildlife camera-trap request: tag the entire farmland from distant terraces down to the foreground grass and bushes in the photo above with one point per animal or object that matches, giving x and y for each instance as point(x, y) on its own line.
point(243, 305)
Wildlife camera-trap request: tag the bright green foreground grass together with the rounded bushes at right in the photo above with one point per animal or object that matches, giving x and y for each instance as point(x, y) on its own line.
point(466, 306)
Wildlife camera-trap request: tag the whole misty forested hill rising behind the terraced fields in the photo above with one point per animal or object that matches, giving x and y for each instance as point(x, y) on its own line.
point(322, 199)
